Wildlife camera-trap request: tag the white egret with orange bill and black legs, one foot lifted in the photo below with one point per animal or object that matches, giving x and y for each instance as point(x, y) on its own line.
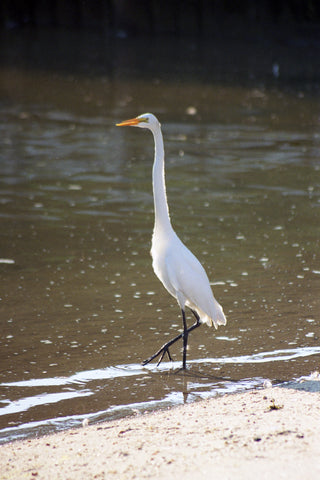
point(173, 263)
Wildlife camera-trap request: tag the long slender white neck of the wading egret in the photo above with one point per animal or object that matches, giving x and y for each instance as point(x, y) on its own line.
point(161, 210)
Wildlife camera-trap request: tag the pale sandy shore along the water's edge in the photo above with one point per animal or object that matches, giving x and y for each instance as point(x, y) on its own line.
point(266, 434)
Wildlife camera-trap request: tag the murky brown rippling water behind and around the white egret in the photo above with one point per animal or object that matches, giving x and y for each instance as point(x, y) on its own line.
point(80, 306)
